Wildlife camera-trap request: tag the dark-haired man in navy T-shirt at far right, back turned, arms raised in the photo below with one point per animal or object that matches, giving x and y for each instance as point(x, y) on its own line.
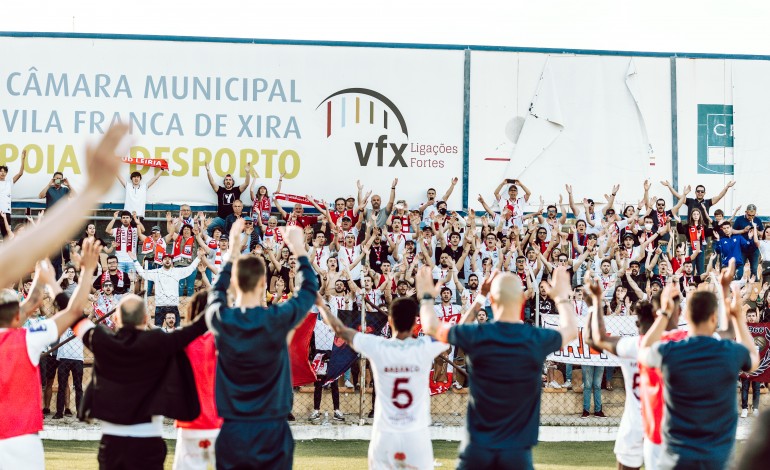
point(700, 421)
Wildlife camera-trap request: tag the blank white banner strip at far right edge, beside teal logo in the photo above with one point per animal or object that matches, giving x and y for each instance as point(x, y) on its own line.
point(751, 99)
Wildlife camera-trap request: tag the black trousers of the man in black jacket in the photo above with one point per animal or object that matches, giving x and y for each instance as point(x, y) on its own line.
point(131, 453)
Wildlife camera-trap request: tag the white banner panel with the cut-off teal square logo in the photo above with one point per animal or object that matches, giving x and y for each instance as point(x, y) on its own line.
point(704, 94)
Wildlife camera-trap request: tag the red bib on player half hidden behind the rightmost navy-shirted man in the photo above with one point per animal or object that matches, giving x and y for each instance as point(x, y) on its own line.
point(651, 390)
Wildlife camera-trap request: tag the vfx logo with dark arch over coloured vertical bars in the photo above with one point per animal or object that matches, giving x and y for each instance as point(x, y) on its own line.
point(349, 101)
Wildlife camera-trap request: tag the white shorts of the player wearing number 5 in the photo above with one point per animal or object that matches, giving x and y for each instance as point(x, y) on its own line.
point(411, 450)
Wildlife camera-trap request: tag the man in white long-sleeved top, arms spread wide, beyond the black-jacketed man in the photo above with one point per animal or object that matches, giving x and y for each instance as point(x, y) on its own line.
point(167, 278)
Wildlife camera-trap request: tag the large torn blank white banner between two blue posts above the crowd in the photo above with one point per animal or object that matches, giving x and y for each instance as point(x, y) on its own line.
point(589, 121)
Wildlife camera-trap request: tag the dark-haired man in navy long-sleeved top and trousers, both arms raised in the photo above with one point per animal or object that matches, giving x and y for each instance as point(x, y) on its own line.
point(253, 381)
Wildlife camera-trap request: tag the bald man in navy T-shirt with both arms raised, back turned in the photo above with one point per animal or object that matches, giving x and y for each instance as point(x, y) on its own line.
point(505, 361)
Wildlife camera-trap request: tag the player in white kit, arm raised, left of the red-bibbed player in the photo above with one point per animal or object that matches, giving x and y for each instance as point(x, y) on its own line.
point(629, 444)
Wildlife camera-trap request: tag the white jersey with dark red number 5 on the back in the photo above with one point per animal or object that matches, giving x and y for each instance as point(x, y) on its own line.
point(401, 370)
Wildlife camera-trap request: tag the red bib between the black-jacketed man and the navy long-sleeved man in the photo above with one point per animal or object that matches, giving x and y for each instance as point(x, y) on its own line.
point(203, 359)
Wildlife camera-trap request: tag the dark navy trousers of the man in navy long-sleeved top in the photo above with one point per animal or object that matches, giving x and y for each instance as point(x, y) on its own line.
point(244, 445)
